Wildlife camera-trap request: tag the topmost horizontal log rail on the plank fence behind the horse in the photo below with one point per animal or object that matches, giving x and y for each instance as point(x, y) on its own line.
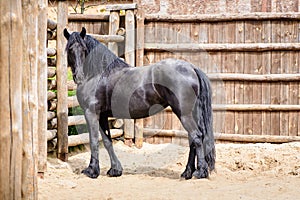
point(222, 17)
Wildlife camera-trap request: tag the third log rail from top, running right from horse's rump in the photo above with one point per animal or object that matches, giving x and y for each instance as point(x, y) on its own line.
point(254, 77)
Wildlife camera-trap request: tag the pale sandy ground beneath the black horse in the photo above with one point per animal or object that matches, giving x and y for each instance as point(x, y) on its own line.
point(244, 171)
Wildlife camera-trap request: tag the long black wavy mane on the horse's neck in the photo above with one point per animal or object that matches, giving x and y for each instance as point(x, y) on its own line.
point(99, 58)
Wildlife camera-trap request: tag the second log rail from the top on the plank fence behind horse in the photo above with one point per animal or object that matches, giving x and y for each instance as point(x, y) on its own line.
point(189, 47)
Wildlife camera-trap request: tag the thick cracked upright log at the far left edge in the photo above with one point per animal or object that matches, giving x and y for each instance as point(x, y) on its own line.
point(11, 99)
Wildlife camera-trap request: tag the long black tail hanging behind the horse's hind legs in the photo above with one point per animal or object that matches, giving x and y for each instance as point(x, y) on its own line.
point(205, 121)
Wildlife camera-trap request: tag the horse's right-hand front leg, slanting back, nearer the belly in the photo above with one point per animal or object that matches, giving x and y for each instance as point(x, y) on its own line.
point(116, 167)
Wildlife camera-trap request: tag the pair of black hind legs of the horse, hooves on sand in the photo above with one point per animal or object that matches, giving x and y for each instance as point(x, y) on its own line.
point(196, 148)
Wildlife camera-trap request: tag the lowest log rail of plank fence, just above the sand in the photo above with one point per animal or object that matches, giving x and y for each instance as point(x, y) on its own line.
point(225, 137)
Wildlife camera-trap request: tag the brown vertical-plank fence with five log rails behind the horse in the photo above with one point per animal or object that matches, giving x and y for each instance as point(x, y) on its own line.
point(252, 61)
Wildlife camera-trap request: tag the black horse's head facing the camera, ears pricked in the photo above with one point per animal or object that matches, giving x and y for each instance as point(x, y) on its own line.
point(76, 53)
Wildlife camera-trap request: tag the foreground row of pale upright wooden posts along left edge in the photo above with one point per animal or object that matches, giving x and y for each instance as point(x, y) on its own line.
point(23, 91)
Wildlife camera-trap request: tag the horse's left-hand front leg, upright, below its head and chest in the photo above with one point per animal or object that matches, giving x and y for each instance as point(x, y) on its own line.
point(92, 119)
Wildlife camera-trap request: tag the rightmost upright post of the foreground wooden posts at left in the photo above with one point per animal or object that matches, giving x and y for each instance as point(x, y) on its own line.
point(42, 86)
